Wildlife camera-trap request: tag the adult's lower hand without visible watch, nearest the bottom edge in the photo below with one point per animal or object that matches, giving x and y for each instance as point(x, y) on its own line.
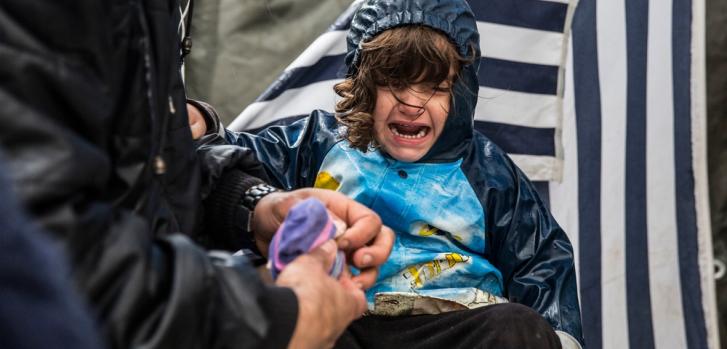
point(326, 306)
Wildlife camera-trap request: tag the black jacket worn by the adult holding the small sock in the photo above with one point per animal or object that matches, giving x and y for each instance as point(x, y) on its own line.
point(94, 128)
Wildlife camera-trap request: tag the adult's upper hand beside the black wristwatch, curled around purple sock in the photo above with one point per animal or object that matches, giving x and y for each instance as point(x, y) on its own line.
point(366, 241)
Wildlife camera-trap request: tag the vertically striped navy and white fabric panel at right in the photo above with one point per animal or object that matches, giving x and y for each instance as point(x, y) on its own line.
point(634, 190)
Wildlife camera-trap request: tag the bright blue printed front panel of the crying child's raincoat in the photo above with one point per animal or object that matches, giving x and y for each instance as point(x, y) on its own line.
point(438, 220)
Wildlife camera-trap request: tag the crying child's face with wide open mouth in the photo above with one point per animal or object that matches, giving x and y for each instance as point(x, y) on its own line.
point(408, 127)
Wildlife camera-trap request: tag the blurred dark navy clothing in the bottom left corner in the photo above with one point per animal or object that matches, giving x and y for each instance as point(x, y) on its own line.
point(33, 280)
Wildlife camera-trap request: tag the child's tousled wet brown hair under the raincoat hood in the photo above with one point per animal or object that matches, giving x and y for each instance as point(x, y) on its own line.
point(395, 58)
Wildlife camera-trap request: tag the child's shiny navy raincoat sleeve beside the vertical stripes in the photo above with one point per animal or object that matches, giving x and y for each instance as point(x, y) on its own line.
point(533, 252)
